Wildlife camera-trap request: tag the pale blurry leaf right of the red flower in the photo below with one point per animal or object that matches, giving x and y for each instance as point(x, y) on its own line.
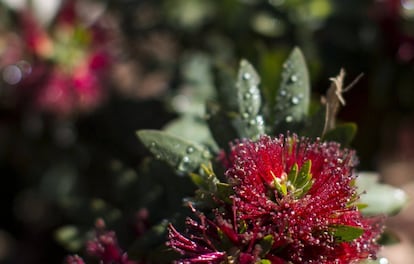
point(380, 198)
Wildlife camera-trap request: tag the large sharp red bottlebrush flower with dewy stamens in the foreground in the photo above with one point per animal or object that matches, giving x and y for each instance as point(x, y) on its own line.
point(294, 201)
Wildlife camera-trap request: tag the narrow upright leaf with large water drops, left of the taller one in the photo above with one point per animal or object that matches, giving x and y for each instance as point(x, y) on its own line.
point(249, 101)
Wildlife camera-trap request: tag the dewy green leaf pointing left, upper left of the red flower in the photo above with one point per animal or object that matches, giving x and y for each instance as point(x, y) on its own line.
point(183, 155)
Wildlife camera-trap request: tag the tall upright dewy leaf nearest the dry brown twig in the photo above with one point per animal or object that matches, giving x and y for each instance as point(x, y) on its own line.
point(293, 97)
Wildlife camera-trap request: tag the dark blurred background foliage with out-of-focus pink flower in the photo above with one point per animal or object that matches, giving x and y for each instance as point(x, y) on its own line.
point(78, 78)
